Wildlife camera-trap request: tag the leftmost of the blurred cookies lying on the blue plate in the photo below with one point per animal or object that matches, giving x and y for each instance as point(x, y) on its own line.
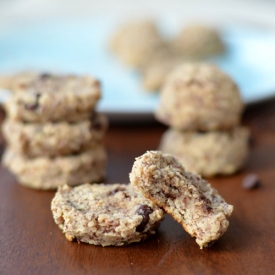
point(135, 42)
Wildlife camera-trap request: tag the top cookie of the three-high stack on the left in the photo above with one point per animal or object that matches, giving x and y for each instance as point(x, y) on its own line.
point(50, 98)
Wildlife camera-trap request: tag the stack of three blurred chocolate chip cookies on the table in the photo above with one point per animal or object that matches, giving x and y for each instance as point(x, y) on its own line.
point(53, 133)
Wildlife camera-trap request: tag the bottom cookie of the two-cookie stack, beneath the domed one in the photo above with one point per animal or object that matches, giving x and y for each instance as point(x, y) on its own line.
point(208, 153)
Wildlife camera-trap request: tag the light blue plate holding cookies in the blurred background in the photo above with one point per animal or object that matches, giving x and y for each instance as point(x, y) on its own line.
point(80, 46)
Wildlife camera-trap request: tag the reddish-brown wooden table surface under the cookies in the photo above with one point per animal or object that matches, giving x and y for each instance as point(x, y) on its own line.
point(31, 243)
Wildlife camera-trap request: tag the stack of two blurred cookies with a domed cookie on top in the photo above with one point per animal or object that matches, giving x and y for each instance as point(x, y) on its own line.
point(203, 107)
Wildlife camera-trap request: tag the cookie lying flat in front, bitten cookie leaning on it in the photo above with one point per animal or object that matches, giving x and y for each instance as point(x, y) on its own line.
point(101, 214)
